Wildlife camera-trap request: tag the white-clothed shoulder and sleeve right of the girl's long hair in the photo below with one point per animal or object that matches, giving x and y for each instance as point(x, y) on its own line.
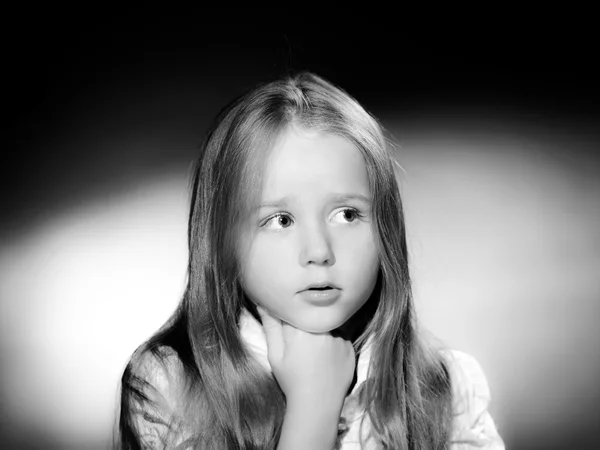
point(472, 424)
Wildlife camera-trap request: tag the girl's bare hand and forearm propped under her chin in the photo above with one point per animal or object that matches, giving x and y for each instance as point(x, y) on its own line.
point(314, 371)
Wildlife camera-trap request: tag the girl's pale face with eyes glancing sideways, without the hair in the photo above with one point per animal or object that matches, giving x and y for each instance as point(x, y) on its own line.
point(313, 229)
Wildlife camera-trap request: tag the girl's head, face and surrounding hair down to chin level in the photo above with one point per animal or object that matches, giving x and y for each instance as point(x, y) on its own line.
point(296, 189)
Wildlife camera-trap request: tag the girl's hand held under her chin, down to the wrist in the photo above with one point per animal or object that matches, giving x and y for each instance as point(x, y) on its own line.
point(308, 366)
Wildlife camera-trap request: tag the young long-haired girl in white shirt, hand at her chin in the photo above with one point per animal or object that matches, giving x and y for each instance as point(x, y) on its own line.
point(297, 326)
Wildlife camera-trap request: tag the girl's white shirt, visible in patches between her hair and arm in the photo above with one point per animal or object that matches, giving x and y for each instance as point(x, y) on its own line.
point(472, 426)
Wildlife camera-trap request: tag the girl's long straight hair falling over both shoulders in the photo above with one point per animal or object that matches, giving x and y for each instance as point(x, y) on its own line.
point(233, 402)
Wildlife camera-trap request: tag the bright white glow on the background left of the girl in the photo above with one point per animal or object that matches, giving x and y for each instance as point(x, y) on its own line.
point(79, 295)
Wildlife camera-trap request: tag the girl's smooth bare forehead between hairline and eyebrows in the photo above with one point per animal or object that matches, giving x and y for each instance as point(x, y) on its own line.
point(305, 162)
